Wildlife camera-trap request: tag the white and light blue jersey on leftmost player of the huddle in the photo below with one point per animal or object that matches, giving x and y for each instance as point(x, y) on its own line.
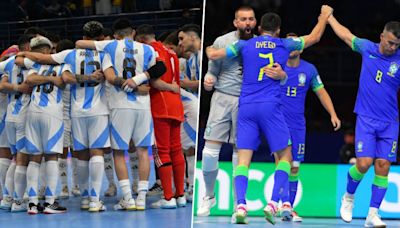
point(17, 102)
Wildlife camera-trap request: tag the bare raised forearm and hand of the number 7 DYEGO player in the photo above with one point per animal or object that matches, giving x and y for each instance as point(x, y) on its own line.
point(316, 33)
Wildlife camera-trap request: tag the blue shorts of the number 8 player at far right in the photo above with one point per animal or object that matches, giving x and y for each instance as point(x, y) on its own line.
point(376, 138)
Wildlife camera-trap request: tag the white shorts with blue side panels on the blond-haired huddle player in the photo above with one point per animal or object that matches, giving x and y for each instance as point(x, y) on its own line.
point(44, 134)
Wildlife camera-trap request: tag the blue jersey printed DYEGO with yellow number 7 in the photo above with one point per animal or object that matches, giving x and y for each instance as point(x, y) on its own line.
point(257, 53)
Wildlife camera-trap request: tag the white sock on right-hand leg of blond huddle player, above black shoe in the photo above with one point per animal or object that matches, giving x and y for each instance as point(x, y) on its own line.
point(51, 181)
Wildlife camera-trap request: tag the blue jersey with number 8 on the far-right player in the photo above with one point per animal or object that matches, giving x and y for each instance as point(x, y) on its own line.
point(379, 82)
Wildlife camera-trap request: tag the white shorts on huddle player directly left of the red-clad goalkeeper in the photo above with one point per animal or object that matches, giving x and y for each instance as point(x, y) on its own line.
point(127, 124)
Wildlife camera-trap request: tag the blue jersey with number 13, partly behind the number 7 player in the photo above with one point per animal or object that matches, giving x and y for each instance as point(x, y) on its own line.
point(294, 92)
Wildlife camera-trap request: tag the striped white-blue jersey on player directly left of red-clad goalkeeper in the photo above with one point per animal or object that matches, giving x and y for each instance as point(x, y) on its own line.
point(128, 58)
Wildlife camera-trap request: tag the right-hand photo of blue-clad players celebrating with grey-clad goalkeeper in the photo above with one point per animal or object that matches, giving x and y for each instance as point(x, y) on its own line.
point(298, 119)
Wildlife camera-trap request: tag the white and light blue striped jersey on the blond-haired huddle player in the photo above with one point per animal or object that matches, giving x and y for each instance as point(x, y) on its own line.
point(47, 98)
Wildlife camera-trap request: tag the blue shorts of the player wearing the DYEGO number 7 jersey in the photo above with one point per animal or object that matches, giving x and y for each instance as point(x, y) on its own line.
point(266, 118)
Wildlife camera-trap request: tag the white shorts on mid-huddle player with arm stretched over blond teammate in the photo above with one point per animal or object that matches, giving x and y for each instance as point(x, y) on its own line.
point(90, 132)
